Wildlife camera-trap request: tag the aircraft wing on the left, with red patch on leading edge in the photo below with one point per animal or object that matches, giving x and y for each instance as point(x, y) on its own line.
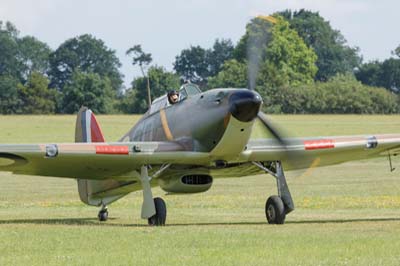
point(95, 161)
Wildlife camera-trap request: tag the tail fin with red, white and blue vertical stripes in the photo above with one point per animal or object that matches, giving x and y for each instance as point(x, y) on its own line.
point(87, 129)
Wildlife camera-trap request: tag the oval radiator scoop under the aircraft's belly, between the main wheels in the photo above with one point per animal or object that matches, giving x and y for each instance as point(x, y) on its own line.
point(188, 183)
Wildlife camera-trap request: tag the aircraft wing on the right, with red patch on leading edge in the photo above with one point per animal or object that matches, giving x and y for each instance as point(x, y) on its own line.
point(302, 153)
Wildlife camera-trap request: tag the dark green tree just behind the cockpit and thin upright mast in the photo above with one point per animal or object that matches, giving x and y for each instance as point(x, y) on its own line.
point(134, 100)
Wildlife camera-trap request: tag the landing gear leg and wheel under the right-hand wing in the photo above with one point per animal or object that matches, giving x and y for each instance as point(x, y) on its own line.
point(277, 207)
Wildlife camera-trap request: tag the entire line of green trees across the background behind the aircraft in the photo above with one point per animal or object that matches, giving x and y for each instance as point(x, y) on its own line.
point(295, 60)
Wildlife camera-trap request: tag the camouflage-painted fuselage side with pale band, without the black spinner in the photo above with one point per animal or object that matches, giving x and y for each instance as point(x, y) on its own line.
point(198, 123)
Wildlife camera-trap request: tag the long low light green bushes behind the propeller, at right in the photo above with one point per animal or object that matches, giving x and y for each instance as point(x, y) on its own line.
point(341, 94)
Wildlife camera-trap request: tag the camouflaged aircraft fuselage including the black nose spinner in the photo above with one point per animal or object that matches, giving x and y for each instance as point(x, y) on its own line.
point(200, 120)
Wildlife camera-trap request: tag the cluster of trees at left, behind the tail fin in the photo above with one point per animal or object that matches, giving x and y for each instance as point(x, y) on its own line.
point(36, 80)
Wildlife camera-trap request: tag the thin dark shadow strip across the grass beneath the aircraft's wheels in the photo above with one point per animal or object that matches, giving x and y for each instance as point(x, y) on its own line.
point(95, 222)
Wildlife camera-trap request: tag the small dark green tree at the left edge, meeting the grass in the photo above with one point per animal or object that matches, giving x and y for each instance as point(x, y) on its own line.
point(9, 102)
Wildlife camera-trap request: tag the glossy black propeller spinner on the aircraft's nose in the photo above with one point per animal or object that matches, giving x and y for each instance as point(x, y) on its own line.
point(244, 105)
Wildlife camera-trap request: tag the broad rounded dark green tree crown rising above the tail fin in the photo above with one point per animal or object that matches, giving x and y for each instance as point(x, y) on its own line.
point(85, 54)
